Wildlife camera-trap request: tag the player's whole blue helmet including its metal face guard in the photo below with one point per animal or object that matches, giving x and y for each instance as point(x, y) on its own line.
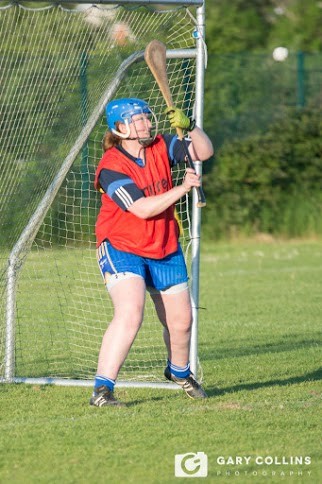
point(122, 110)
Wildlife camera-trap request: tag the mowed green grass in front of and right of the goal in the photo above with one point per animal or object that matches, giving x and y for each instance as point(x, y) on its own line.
point(260, 351)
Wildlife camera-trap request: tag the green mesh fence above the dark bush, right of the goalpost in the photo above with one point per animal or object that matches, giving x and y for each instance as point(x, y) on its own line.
point(246, 92)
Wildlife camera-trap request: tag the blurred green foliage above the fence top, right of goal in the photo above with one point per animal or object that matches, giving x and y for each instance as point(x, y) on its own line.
point(258, 25)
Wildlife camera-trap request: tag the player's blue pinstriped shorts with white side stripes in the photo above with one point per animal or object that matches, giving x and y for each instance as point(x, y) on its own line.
point(159, 274)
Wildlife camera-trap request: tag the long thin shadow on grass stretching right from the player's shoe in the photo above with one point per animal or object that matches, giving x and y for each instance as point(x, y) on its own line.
point(313, 376)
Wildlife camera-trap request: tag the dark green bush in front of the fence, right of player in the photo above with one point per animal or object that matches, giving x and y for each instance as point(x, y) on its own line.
point(269, 182)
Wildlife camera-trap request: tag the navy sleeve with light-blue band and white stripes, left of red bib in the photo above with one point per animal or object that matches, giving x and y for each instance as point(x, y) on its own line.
point(120, 188)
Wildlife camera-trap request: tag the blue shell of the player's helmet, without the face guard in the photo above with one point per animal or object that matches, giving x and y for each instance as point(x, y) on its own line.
point(123, 109)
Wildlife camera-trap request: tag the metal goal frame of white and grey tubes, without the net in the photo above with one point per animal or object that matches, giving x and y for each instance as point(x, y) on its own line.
point(30, 231)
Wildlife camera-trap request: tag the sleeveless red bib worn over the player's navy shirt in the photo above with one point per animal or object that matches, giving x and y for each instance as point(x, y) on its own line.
point(155, 237)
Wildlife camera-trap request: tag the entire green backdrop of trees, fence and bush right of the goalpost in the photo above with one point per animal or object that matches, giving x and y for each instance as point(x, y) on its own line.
point(264, 118)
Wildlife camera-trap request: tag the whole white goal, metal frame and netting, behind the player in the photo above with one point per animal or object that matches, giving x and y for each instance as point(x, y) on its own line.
point(59, 66)
